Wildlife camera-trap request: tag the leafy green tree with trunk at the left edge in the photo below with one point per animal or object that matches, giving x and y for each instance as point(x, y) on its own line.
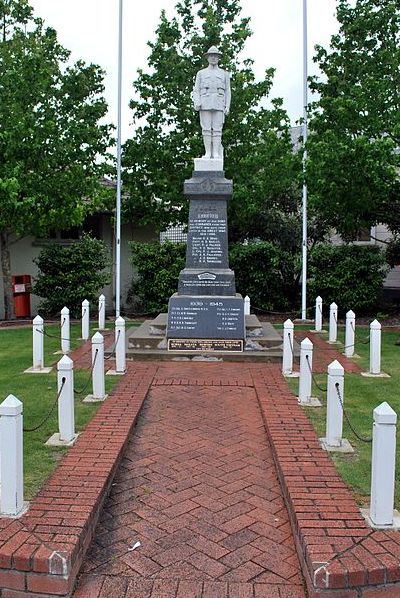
point(50, 137)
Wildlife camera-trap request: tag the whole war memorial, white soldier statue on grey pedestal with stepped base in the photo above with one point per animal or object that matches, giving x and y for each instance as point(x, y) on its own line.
point(206, 315)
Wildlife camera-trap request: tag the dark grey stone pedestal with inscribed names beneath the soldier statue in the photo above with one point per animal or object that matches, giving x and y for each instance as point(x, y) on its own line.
point(206, 307)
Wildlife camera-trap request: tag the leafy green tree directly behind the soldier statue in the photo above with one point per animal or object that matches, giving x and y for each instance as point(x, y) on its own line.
point(256, 139)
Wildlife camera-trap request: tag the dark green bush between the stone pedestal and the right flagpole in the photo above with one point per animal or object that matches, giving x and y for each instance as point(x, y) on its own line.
point(266, 273)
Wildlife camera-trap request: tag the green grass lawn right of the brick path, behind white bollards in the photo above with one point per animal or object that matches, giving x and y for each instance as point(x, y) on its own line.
point(362, 395)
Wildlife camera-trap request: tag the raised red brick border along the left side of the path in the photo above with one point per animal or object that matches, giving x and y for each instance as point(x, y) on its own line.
point(41, 552)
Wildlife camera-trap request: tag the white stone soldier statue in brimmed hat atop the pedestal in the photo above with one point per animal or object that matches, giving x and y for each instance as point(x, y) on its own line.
point(212, 98)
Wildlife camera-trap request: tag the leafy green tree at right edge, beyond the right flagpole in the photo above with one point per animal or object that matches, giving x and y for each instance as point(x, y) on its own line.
point(354, 144)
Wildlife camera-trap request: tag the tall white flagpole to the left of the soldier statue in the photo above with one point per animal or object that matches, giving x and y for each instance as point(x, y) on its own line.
point(119, 182)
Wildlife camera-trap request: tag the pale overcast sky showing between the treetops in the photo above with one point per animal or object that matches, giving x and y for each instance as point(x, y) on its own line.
point(89, 28)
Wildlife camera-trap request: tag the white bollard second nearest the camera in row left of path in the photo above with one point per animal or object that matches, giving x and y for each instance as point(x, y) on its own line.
point(66, 414)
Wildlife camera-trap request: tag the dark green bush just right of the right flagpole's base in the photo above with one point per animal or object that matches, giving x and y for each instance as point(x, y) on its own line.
point(349, 275)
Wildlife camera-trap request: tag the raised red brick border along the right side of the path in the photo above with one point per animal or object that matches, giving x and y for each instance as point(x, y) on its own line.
point(340, 555)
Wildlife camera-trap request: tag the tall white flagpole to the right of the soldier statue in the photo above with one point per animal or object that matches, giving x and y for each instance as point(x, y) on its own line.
point(305, 195)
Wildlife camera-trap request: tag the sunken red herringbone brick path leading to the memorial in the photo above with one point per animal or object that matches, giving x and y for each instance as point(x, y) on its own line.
point(198, 488)
